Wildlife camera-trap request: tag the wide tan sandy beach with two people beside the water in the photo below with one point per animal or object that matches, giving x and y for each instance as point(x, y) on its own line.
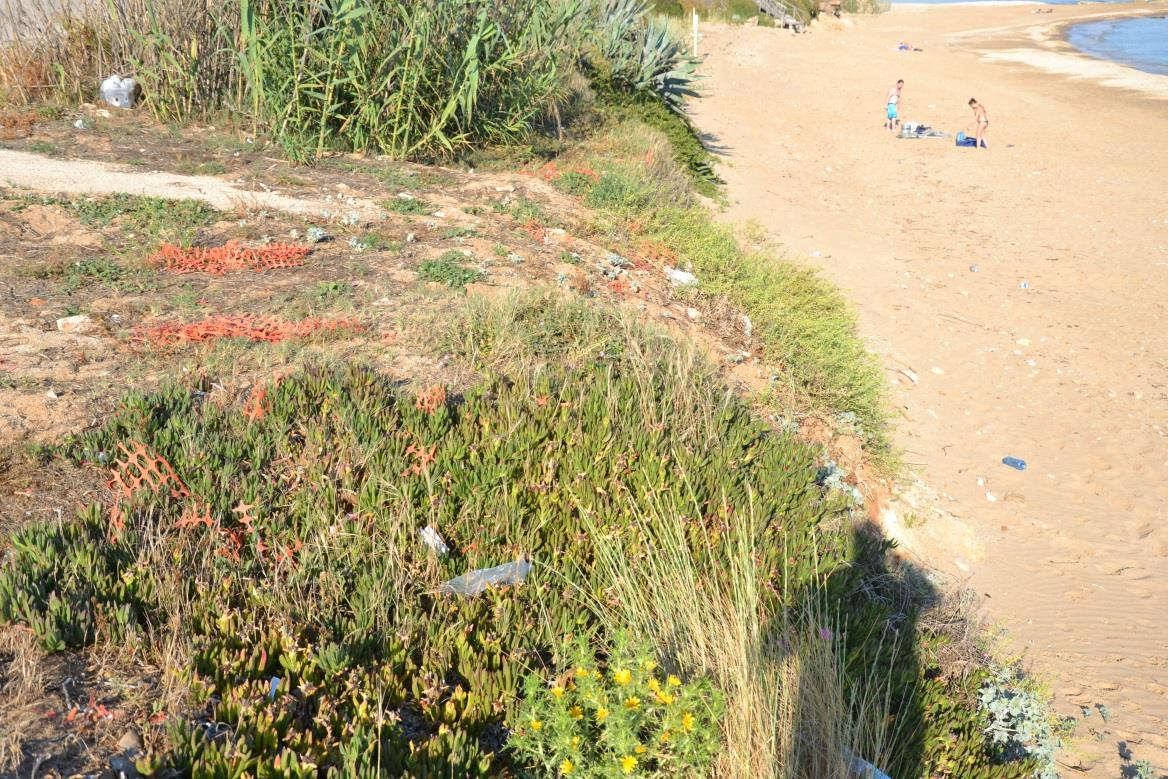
point(1026, 289)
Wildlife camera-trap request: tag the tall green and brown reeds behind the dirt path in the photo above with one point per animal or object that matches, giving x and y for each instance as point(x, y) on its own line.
point(399, 78)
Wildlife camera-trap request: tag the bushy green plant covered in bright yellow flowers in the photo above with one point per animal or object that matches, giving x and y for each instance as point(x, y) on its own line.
point(616, 717)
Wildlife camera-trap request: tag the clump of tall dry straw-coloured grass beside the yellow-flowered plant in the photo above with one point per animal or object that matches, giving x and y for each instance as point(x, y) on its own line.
point(792, 710)
